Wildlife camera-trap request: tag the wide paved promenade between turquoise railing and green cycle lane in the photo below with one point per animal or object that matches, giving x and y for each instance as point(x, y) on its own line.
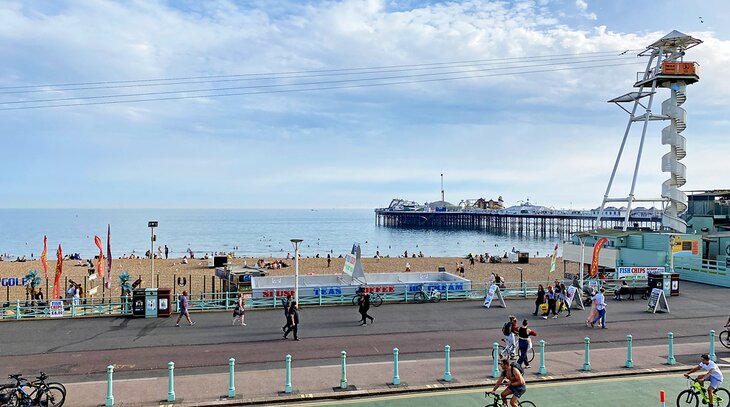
point(77, 352)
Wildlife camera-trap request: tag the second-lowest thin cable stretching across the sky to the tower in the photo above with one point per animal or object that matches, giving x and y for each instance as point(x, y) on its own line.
point(326, 82)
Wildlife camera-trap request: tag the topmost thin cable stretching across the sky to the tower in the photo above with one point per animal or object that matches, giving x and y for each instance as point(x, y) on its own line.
point(58, 85)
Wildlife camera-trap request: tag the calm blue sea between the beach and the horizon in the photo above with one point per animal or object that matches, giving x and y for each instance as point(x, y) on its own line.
point(252, 232)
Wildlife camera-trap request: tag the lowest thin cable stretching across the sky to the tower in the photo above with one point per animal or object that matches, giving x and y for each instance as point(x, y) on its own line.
point(349, 86)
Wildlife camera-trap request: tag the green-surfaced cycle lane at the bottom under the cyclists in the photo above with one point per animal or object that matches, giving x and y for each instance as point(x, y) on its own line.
point(629, 391)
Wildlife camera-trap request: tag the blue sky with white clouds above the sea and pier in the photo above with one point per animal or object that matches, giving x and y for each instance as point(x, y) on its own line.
point(318, 139)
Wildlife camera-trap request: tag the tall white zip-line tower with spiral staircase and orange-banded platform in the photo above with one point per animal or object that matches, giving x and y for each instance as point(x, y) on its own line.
point(666, 68)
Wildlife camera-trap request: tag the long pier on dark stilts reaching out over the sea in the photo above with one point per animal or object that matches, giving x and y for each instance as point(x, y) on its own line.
point(502, 222)
